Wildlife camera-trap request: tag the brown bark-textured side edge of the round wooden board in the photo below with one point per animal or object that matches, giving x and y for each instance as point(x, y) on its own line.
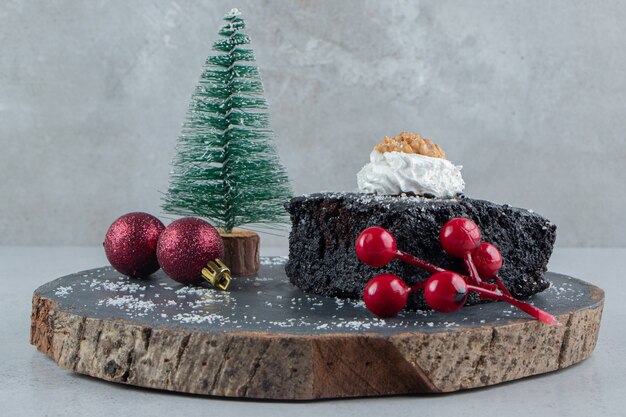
point(311, 366)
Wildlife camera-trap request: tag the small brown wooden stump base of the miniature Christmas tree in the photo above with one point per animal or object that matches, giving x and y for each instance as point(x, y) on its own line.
point(241, 251)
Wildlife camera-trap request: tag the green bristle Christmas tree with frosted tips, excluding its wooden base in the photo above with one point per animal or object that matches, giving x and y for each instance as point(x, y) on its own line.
point(226, 168)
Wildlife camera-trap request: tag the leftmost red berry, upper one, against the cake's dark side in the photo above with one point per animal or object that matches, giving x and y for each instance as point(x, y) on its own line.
point(375, 246)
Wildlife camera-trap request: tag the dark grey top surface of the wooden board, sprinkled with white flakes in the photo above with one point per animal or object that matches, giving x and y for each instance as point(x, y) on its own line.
point(269, 303)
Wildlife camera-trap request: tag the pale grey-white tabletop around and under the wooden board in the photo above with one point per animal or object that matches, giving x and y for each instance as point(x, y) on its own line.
point(31, 384)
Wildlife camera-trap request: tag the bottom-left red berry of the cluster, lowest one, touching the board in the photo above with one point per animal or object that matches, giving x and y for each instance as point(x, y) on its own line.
point(385, 295)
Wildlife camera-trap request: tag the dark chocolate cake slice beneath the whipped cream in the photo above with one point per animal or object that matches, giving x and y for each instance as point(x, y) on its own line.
point(325, 227)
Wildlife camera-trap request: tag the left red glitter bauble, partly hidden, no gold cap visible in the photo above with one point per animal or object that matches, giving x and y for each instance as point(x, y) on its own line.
point(130, 244)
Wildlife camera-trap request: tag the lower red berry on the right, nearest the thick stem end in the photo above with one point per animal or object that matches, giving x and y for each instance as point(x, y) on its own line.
point(446, 291)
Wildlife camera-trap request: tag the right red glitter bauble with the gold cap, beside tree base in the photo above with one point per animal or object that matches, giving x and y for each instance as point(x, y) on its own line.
point(186, 246)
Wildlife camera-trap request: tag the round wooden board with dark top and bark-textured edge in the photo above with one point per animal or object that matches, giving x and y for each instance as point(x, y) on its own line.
point(267, 339)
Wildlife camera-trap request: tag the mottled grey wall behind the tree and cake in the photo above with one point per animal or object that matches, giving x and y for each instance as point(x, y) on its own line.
point(528, 95)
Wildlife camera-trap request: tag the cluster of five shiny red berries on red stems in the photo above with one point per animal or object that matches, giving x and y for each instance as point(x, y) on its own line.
point(445, 291)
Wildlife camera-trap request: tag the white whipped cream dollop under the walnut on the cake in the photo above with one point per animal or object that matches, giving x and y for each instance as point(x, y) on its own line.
point(399, 172)
